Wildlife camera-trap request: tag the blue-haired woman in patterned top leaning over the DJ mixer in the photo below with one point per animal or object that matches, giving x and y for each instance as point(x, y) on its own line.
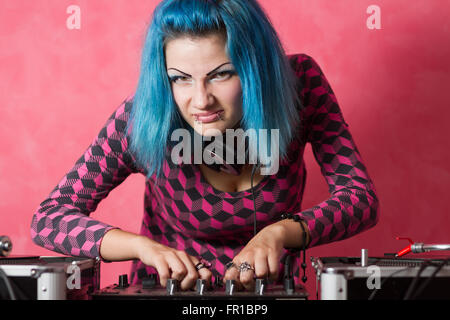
point(211, 66)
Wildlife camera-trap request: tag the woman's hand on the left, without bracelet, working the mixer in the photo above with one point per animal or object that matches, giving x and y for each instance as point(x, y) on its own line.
point(171, 263)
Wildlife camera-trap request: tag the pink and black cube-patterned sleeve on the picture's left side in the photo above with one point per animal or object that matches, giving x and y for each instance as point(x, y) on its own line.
point(61, 223)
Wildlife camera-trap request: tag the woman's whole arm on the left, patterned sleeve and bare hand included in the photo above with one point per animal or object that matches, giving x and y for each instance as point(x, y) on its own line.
point(62, 222)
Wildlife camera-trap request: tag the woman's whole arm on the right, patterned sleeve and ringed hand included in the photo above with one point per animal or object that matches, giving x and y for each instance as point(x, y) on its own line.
point(353, 205)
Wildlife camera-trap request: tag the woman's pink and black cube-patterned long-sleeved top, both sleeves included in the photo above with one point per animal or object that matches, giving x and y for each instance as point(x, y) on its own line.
point(182, 210)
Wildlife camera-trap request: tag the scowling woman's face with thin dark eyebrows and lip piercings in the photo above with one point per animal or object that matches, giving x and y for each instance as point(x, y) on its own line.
point(205, 85)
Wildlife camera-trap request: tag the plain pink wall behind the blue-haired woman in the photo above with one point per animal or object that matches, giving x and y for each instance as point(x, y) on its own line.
point(58, 87)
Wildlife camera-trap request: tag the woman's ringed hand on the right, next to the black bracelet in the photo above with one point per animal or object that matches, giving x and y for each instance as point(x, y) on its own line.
point(262, 254)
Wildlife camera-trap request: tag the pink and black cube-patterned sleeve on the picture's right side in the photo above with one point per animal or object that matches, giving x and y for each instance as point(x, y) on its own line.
point(353, 204)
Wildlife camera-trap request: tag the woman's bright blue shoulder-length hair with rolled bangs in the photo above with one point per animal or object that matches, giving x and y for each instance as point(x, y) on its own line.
point(269, 97)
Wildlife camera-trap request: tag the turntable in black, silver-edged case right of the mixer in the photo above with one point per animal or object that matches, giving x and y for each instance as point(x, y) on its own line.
point(420, 277)
